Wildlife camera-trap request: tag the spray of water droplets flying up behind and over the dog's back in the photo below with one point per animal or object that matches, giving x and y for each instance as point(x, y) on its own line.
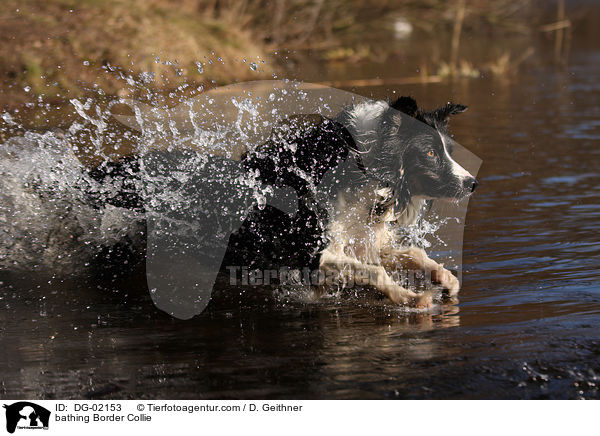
point(60, 214)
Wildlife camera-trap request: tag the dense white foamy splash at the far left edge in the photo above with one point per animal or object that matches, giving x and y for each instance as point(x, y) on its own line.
point(48, 214)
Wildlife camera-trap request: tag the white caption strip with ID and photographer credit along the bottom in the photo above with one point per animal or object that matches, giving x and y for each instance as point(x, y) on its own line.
point(258, 417)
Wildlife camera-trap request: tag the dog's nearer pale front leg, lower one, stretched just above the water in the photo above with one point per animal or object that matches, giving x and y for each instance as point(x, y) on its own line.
point(349, 269)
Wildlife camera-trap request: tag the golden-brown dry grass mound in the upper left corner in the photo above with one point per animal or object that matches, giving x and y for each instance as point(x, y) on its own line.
point(59, 48)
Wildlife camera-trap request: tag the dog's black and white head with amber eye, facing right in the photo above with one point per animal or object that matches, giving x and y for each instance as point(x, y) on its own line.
point(411, 153)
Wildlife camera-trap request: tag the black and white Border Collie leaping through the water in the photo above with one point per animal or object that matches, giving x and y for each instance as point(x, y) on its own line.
point(376, 169)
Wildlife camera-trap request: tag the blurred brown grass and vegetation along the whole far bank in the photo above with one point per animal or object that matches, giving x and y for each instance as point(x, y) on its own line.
point(60, 48)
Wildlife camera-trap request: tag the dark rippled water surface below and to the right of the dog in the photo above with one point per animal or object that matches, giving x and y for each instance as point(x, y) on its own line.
point(526, 325)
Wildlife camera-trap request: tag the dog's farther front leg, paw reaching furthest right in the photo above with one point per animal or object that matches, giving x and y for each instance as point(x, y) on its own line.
point(415, 259)
